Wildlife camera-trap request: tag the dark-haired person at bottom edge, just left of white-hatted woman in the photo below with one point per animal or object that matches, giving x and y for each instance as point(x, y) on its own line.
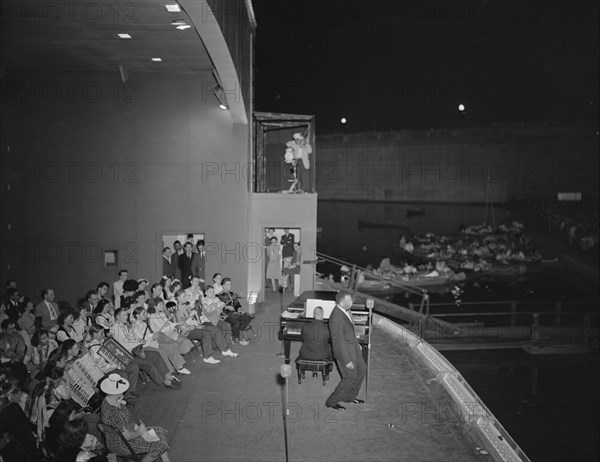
point(75, 444)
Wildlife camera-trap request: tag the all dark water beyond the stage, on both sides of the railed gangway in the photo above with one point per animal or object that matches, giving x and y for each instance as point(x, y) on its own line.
point(549, 404)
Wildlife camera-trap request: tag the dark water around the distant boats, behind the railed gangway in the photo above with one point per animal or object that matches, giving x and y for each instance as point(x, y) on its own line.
point(343, 238)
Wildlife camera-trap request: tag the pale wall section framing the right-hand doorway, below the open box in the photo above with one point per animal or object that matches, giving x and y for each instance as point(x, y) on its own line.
point(282, 211)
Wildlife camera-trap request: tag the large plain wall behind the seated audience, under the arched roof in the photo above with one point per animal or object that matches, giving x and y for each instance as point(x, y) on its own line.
point(89, 165)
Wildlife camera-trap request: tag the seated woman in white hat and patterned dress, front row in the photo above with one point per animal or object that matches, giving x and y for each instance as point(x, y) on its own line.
point(150, 441)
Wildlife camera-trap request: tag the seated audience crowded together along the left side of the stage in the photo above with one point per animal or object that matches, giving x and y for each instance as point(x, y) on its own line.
point(69, 377)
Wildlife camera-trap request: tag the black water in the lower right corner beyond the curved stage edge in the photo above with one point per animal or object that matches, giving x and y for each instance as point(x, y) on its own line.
point(548, 404)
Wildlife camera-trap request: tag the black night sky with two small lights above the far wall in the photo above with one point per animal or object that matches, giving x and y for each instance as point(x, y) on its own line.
point(387, 65)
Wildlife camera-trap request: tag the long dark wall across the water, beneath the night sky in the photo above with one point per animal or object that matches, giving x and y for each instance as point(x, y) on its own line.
point(452, 165)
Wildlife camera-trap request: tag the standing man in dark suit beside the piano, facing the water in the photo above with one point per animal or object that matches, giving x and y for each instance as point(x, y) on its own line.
point(347, 353)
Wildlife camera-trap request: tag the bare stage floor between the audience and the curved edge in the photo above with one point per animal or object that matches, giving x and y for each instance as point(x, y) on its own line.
point(232, 411)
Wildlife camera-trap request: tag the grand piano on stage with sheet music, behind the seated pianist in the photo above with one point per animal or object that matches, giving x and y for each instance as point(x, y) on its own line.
point(294, 318)
